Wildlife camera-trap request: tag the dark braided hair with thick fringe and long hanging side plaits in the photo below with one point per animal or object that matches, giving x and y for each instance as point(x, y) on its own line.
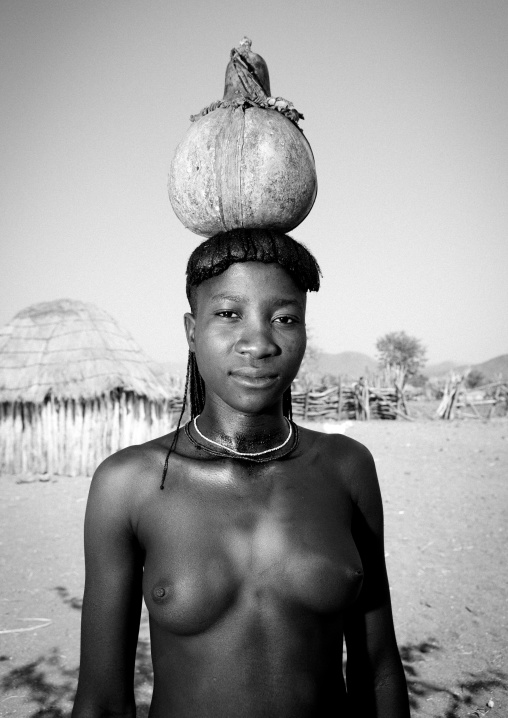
point(215, 256)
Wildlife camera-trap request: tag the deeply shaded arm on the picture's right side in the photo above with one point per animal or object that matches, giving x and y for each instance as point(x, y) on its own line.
point(374, 674)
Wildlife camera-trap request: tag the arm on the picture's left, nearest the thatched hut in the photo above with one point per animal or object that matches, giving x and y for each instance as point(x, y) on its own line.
point(112, 598)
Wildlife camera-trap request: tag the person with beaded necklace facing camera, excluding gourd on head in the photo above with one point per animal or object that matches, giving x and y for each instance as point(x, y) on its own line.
point(264, 548)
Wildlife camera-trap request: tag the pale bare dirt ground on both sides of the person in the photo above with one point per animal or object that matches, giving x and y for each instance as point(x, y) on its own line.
point(445, 490)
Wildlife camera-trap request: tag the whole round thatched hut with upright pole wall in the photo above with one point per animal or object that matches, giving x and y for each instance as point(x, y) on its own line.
point(74, 388)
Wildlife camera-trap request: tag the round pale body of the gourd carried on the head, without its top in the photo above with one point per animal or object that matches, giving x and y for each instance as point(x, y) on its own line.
point(242, 167)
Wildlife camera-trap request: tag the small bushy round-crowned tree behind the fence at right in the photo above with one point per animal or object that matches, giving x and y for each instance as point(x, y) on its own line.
point(401, 354)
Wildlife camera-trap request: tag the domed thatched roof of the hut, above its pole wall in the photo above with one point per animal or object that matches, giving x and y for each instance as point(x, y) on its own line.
point(71, 349)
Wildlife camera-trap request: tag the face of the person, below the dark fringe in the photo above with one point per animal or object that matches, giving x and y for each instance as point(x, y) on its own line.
point(248, 333)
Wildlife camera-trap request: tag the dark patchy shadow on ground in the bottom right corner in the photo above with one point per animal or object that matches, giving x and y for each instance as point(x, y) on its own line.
point(470, 695)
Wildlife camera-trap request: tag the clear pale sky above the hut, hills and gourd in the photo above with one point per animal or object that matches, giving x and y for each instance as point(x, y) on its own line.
point(406, 110)
